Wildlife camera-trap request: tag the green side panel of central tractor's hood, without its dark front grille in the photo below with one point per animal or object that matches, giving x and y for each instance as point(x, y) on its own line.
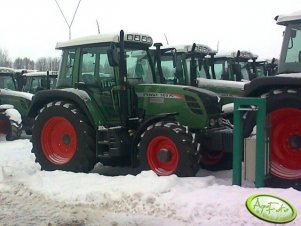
point(156, 99)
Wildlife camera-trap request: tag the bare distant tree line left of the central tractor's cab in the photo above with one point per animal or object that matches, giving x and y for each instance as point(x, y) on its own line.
point(41, 64)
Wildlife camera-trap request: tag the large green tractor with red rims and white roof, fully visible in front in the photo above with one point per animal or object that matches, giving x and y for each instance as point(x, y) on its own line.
point(108, 107)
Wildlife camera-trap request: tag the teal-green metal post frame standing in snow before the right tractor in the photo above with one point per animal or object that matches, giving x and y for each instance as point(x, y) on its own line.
point(242, 105)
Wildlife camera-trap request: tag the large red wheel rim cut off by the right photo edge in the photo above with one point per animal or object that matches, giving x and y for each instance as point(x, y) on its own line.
point(285, 155)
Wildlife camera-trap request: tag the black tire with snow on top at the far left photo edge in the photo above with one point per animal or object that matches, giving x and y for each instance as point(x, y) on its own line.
point(10, 128)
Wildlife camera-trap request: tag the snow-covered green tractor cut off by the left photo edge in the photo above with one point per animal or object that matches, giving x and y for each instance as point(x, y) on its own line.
point(14, 106)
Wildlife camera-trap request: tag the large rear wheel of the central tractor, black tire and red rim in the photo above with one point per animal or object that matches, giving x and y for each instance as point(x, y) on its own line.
point(71, 147)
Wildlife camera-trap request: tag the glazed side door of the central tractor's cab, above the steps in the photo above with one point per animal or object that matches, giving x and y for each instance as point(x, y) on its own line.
point(99, 81)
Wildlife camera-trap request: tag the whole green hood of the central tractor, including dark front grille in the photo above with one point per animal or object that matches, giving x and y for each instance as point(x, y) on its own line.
point(197, 105)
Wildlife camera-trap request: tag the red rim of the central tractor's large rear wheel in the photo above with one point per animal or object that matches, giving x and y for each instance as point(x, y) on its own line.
point(59, 140)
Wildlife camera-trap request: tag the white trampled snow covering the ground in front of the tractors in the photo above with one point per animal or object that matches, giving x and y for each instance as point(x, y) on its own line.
point(29, 196)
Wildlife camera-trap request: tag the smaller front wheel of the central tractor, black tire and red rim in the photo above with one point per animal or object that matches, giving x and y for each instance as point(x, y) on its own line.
point(178, 152)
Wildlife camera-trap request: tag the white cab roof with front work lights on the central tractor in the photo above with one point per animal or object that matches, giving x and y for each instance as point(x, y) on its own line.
point(104, 38)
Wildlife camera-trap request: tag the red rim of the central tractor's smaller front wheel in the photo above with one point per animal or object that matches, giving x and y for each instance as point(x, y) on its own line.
point(162, 168)
